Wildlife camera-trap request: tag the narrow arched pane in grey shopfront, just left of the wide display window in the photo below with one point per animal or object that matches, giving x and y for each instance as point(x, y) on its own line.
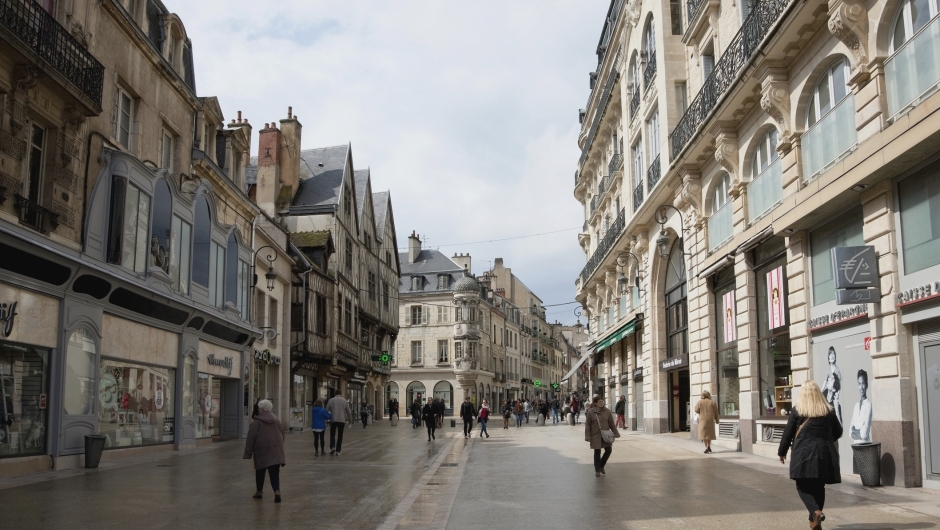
point(80, 360)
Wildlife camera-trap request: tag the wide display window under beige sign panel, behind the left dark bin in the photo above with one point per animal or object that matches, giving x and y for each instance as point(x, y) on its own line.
point(135, 404)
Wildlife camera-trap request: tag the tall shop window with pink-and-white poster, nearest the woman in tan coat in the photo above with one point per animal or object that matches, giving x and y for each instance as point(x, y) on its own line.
point(726, 350)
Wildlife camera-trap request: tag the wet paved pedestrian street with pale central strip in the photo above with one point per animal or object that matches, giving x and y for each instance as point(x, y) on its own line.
point(391, 477)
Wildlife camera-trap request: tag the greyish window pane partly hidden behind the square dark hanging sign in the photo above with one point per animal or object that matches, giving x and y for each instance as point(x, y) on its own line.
point(845, 231)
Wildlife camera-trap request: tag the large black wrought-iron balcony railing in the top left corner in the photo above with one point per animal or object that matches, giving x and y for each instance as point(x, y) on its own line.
point(40, 32)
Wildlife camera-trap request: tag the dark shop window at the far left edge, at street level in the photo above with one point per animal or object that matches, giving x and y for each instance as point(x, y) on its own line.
point(24, 385)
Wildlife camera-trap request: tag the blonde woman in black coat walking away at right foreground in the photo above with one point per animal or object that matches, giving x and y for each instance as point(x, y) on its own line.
point(812, 431)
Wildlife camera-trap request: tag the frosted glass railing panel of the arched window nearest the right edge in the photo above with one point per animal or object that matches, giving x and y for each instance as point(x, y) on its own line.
point(914, 69)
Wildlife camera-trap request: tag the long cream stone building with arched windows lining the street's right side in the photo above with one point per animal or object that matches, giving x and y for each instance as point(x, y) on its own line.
point(756, 137)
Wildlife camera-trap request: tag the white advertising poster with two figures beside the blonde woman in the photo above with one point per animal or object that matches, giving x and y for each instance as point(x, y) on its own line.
point(842, 368)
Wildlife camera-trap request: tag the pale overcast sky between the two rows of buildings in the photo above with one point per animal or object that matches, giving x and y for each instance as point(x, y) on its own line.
point(465, 110)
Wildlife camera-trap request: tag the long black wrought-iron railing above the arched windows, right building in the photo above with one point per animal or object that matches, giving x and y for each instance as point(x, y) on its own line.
point(744, 45)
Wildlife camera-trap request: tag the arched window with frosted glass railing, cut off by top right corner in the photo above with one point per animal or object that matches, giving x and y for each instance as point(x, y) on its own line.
point(914, 65)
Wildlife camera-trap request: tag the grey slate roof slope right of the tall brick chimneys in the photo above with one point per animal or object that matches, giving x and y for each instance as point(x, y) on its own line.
point(322, 172)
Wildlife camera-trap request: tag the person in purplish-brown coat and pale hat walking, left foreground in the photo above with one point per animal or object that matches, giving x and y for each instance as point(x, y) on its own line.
point(265, 445)
